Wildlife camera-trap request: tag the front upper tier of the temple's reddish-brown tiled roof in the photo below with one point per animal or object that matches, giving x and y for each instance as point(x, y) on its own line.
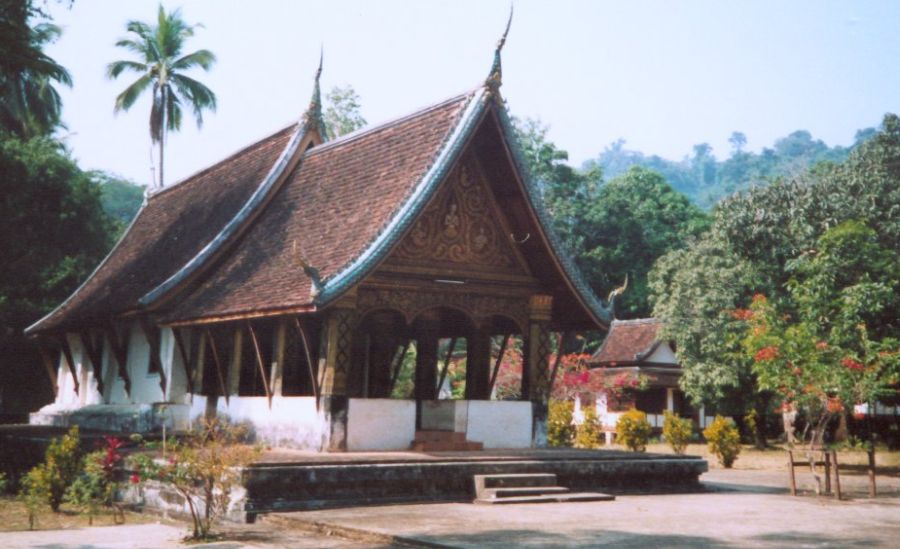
point(337, 201)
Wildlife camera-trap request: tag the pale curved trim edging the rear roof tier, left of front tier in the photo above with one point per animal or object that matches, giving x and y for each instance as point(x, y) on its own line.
point(248, 211)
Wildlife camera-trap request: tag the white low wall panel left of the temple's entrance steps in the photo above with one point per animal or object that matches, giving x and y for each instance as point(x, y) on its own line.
point(380, 424)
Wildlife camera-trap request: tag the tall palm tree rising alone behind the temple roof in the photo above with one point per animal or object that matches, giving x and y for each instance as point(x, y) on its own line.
point(161, 66)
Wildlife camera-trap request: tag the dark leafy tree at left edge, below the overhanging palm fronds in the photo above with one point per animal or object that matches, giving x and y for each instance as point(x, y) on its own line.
point(53, 232)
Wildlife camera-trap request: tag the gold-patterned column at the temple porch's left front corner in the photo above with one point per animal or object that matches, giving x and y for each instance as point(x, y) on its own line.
point(335, 363)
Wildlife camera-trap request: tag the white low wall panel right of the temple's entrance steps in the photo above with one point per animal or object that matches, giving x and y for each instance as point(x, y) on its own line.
point(499, 423)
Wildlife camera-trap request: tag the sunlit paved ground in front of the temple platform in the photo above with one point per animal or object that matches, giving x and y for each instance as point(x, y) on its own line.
point(749, 509)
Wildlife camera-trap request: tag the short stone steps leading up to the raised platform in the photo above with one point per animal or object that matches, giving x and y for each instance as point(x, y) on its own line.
point(528, 488)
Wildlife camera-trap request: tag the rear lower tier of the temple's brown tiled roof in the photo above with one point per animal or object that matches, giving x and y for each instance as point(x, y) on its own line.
point(170, 229)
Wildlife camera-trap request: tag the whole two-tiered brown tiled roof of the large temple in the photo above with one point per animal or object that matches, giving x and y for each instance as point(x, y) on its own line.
point(291, 223)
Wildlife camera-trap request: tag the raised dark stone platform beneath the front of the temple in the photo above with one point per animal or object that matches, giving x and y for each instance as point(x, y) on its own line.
point(292, 480)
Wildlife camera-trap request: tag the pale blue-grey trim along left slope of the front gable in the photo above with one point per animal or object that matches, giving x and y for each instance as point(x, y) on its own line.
point(387, 237)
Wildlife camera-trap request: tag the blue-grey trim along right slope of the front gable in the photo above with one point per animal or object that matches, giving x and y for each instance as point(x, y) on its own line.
point(603, 314)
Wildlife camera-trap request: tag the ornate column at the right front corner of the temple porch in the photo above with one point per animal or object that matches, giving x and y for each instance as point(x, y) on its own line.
point(537, 366)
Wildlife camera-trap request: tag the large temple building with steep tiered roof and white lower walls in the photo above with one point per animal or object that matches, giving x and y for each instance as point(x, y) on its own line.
point(287, 285)
